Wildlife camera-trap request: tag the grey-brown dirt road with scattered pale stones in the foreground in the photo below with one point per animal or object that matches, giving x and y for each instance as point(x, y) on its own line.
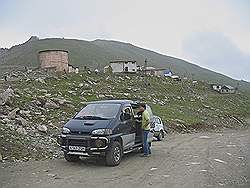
point(189, 160)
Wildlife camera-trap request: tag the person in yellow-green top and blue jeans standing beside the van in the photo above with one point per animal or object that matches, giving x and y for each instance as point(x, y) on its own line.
point(145, 129)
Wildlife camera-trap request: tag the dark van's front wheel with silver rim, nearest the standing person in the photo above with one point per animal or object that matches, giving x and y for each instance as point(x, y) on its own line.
point(114, 154)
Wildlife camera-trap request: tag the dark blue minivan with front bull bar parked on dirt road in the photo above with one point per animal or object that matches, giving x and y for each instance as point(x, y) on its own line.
point(106, 128)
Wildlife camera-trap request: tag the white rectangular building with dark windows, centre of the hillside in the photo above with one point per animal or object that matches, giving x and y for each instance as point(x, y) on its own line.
point(123, 66)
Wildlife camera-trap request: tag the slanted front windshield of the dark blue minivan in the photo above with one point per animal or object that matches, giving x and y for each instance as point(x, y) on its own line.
point(98, 111)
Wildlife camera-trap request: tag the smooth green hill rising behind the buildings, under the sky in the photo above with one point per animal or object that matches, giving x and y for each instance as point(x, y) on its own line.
point(98, 53)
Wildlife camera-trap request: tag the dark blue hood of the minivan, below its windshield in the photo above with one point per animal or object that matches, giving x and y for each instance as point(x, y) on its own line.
point(86, 126)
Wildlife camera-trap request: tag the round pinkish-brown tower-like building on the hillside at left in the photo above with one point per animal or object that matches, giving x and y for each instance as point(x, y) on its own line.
point(55, 60)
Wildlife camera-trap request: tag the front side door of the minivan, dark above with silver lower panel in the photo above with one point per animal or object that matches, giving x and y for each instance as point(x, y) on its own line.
point(127, 127)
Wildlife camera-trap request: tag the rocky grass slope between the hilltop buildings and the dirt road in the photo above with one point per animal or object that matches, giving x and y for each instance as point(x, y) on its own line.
point(34, 106)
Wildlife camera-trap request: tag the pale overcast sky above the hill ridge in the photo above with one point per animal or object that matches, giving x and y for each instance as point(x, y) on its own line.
point(211, 33)
